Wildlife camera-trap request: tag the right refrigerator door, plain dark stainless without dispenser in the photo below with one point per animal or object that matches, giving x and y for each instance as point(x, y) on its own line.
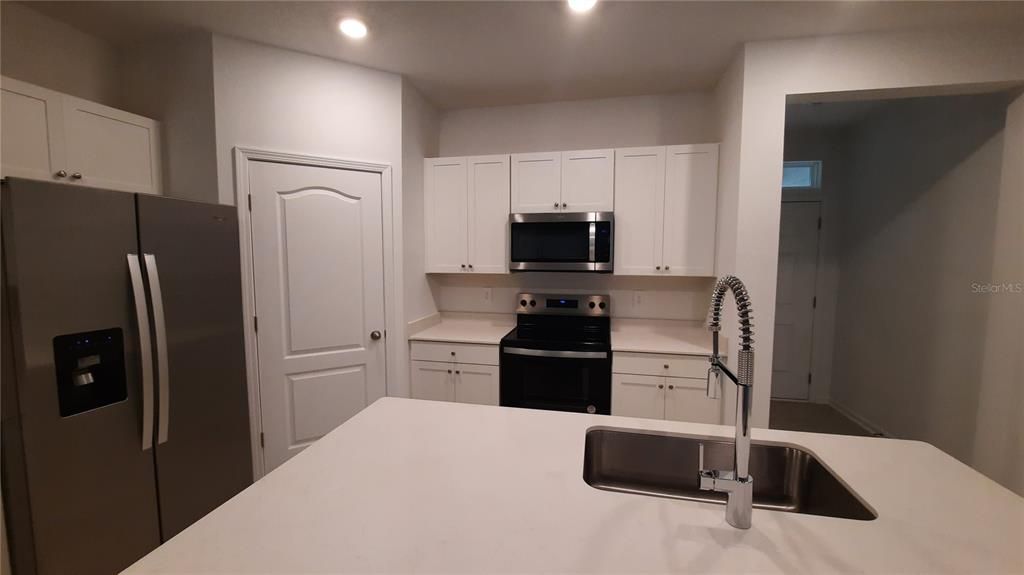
point(203, 448)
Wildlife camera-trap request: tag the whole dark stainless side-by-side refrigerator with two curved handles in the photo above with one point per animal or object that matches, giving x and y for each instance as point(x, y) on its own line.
point(124, 399)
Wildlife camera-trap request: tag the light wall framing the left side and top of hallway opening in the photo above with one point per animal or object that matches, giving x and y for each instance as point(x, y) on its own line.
point(880, 63)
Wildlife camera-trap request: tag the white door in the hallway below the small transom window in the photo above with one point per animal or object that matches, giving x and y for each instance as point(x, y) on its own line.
point(798, 267)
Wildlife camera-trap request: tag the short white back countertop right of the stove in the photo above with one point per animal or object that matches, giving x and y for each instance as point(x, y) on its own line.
point(663, 336)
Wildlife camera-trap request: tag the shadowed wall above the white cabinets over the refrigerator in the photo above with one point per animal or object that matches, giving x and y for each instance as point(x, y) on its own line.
point(40, 51)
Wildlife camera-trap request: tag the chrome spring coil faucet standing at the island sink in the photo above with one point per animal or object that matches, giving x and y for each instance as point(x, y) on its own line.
point(738, 484)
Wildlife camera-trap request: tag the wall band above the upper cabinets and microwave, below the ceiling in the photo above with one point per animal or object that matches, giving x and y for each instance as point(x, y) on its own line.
point(657, 120)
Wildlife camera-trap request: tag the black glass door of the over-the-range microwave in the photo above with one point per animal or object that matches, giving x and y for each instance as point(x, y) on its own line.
point(551, 242)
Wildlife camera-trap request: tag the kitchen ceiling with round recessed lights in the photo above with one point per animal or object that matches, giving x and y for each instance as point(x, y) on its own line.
point(466, 55)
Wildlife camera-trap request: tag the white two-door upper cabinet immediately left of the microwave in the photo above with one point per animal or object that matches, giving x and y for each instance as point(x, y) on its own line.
point(466, 206)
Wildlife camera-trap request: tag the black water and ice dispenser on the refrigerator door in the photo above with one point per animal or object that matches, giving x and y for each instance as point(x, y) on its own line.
point(91, 369)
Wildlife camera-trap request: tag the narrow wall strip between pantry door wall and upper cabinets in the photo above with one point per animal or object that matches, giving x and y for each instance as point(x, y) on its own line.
point(420, 131)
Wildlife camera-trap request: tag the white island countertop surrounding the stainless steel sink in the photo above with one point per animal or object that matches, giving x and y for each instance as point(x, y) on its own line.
point(416, 486)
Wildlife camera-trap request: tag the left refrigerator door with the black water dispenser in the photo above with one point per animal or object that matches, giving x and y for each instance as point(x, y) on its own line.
point(92, 488)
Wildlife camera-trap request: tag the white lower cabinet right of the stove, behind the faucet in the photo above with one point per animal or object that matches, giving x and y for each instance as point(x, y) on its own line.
point(661, 397)
